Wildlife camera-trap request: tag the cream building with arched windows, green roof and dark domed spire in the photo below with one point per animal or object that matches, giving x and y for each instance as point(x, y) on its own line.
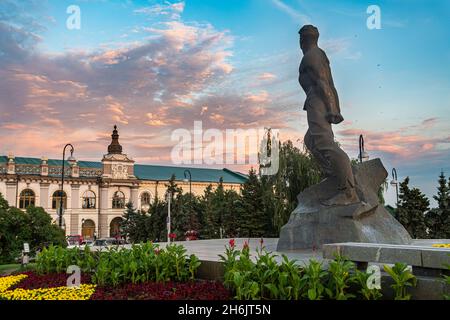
point(95, 193)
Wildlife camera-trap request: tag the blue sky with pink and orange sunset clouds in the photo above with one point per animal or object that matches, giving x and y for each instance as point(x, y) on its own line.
point(155, 66)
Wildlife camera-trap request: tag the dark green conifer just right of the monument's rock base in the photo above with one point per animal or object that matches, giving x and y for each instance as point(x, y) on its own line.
point(411, 210)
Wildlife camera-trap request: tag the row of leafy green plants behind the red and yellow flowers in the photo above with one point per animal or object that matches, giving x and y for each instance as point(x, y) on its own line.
point(142, 263)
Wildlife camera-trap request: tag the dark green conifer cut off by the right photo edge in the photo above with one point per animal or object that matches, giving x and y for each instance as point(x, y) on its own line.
point(438, 219)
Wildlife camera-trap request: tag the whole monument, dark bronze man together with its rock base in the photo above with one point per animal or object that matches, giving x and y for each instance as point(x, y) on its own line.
point(344, 207)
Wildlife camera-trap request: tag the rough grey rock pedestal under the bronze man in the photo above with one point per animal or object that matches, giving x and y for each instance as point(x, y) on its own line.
point(312, 224)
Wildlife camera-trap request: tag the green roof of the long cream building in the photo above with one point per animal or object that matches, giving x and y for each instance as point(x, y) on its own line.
point(151, 172)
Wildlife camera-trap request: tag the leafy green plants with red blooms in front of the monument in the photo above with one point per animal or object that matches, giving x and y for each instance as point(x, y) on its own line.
point(266, 278)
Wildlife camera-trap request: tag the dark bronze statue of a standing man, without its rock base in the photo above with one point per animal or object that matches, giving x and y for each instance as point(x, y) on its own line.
point(322, 107)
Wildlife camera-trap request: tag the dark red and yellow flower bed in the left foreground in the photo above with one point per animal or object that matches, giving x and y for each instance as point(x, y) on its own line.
point(32, 286)
